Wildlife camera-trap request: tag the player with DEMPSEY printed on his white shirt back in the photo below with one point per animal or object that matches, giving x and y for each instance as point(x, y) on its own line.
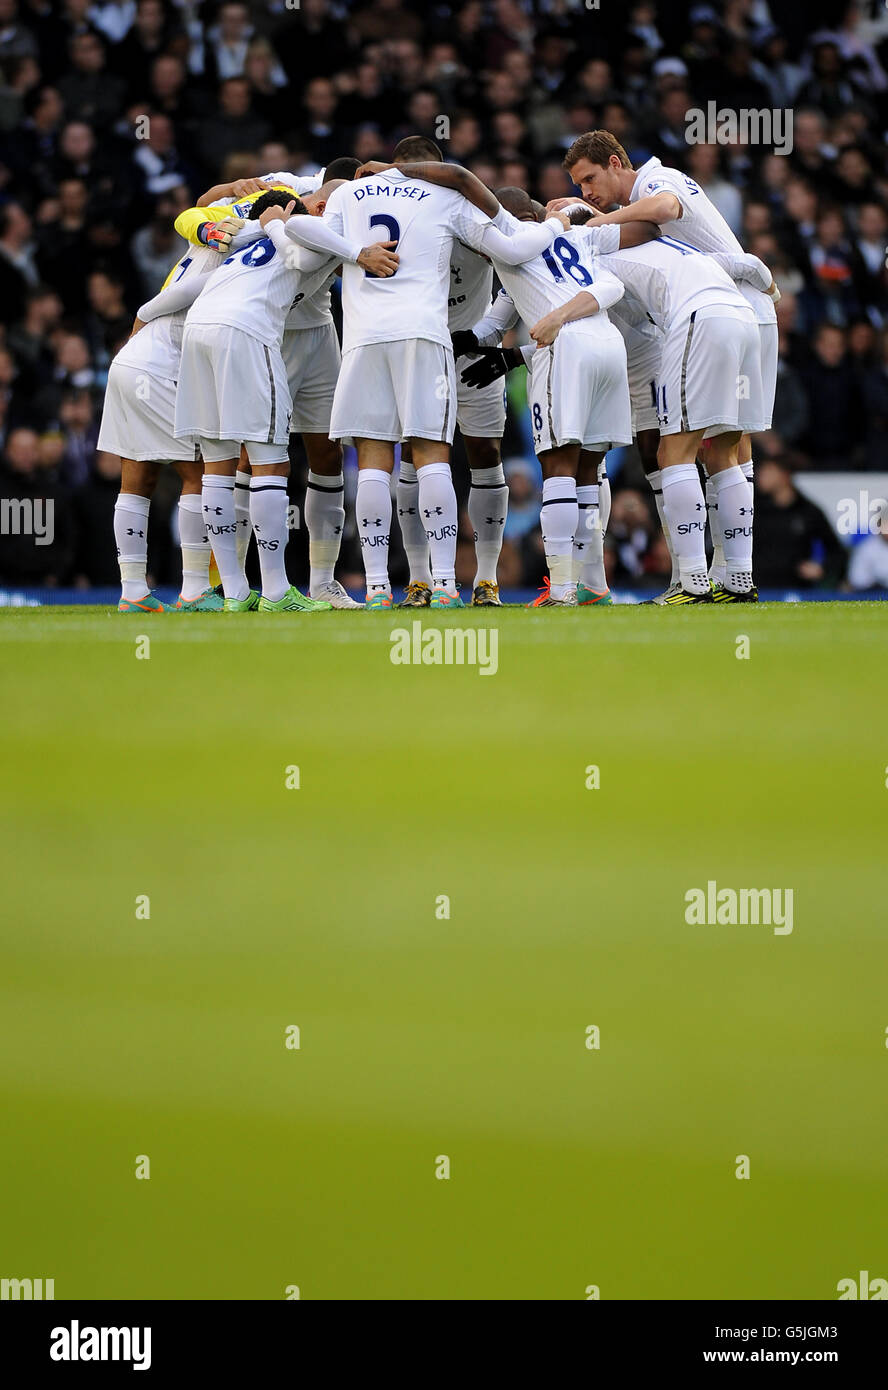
point(398, 376)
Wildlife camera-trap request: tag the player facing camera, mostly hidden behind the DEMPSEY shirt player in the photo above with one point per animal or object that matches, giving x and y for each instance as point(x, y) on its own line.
point(482, 419)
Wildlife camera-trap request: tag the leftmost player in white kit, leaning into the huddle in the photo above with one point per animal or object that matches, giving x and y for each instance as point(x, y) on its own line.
point(138, 425)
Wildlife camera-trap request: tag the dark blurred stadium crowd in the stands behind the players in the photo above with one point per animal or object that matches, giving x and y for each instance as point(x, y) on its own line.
point(90, 191)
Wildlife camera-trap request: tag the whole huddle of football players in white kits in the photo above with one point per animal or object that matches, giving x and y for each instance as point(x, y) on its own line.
point(647, 323)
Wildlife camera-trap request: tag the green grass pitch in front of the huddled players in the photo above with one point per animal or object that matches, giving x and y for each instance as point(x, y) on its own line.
point(422, 1035)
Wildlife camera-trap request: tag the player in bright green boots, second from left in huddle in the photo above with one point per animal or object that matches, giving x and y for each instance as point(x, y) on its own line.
point(234, 386)
